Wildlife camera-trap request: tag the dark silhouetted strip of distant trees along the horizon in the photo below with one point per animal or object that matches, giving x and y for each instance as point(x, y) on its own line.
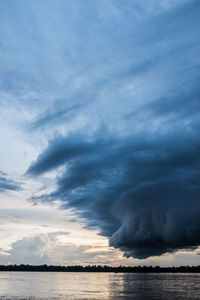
point(99, 268)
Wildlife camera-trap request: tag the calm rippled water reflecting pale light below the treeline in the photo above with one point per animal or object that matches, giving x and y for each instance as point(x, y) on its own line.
point(35, 286)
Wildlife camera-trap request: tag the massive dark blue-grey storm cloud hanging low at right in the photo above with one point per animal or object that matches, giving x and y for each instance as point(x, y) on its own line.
point(140, 191)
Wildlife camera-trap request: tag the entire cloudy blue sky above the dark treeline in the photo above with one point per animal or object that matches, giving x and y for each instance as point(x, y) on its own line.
point(99, 135)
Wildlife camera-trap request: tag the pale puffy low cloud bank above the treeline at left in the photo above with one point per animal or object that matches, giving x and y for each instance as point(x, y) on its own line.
point(51, 249)
